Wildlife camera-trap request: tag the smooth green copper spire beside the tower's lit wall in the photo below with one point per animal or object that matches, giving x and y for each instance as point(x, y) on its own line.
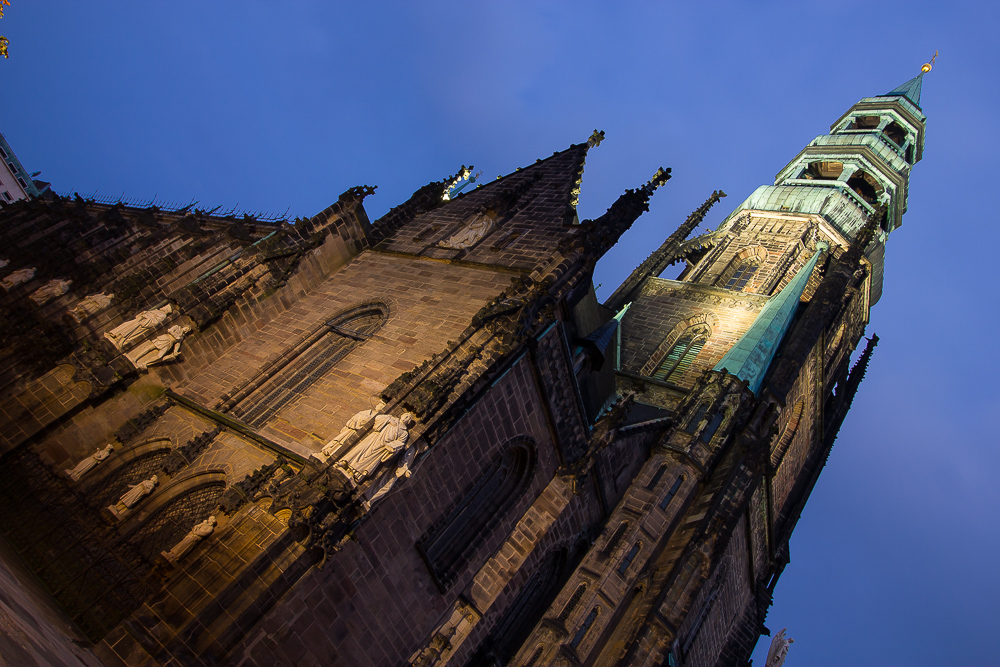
point(750, 358)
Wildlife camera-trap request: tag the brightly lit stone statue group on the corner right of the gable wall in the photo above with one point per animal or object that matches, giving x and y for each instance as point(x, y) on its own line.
point(388, 437)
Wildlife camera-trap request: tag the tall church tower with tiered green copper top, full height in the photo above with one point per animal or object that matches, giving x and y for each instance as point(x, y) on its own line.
point(741, 367)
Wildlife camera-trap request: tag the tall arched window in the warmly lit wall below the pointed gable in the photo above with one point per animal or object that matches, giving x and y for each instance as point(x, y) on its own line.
point(300, 367)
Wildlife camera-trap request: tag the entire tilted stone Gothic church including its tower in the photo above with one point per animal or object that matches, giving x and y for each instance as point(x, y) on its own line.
point(422, 440)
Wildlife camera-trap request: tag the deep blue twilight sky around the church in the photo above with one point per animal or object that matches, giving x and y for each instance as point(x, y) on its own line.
point(282, 106)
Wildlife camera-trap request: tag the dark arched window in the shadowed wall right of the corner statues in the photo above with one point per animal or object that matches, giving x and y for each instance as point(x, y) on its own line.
point(447, 546)
